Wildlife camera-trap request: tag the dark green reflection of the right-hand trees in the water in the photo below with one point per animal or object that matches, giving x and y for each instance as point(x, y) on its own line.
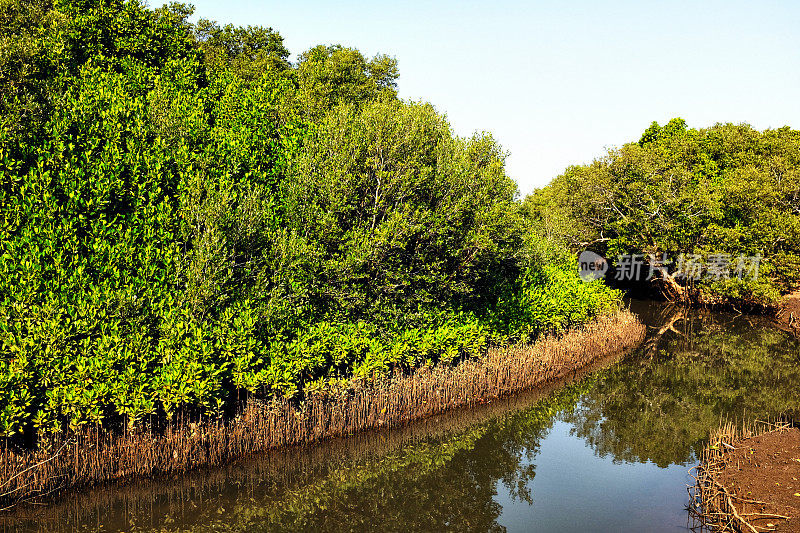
point(694, 369)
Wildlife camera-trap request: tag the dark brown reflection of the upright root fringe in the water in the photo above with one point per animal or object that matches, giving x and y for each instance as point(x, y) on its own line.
point(289, 469)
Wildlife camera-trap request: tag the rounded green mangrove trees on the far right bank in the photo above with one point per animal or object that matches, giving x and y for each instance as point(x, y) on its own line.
point(710, 196)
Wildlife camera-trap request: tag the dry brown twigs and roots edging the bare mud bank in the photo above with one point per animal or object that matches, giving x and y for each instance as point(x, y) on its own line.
point(713, 506)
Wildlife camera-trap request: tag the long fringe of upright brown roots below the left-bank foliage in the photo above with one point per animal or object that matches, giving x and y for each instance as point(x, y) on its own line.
point(95, 457)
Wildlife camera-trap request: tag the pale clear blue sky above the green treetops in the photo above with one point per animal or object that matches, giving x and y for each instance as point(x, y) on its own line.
point(557, 82)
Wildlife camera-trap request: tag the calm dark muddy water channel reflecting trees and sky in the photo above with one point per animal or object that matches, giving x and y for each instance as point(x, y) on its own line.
point(607, 451)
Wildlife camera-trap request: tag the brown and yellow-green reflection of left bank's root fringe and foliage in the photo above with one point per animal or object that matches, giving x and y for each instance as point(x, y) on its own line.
point(310, 477)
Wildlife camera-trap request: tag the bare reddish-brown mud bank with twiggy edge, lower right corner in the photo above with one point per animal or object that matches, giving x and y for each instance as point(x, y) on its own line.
point(750, 481)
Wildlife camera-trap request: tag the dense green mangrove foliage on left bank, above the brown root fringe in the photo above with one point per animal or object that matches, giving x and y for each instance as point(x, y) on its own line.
point(189, 219)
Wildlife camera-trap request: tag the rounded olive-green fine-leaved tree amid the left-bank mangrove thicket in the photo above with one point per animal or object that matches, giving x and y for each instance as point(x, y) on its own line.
point(403, 214)
